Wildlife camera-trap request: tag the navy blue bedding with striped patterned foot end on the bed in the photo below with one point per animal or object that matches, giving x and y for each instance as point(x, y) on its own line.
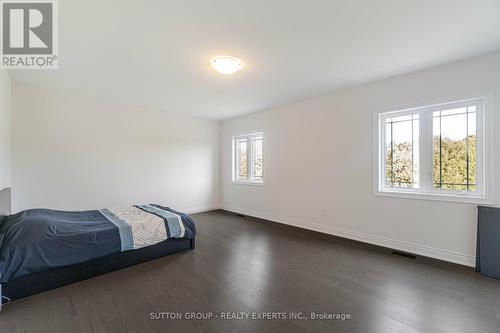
point(36, 240)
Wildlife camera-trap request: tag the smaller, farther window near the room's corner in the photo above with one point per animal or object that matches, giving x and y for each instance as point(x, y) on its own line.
point(248, 158)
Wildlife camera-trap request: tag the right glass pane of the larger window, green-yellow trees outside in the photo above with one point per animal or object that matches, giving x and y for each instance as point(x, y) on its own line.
point(455, 149)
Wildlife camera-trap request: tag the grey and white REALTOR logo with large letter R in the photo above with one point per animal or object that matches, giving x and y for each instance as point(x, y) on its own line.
point(29, 31)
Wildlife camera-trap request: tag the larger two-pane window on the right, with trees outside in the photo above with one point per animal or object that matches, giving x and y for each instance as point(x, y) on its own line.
point(434, 151)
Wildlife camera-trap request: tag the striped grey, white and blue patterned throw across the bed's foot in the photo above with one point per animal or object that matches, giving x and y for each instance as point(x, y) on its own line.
point(143, 225)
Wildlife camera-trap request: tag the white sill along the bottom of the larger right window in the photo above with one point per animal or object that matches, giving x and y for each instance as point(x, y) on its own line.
point(460, 198)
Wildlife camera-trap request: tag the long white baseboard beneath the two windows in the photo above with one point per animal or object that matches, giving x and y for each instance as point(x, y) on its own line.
point(427, 251)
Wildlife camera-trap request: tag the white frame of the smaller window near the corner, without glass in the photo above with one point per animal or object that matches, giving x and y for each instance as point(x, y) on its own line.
point(250, 154)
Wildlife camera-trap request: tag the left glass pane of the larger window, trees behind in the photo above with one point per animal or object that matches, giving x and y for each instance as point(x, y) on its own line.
point(402, 151)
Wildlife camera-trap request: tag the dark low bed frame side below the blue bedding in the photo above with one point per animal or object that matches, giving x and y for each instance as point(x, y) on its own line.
point(39, 282)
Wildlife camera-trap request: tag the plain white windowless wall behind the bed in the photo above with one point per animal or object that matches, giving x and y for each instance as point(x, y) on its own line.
point(72, 152)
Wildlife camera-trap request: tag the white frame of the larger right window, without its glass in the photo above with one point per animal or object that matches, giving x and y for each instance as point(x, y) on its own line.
point(484, 151)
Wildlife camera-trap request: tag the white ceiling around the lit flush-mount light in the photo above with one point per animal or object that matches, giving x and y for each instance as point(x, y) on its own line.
point(156, 53)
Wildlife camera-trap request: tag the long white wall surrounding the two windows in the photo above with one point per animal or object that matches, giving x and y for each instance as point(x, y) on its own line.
point(320, 165)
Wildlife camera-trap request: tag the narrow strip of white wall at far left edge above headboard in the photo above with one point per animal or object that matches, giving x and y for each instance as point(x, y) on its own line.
point(5, 129)
